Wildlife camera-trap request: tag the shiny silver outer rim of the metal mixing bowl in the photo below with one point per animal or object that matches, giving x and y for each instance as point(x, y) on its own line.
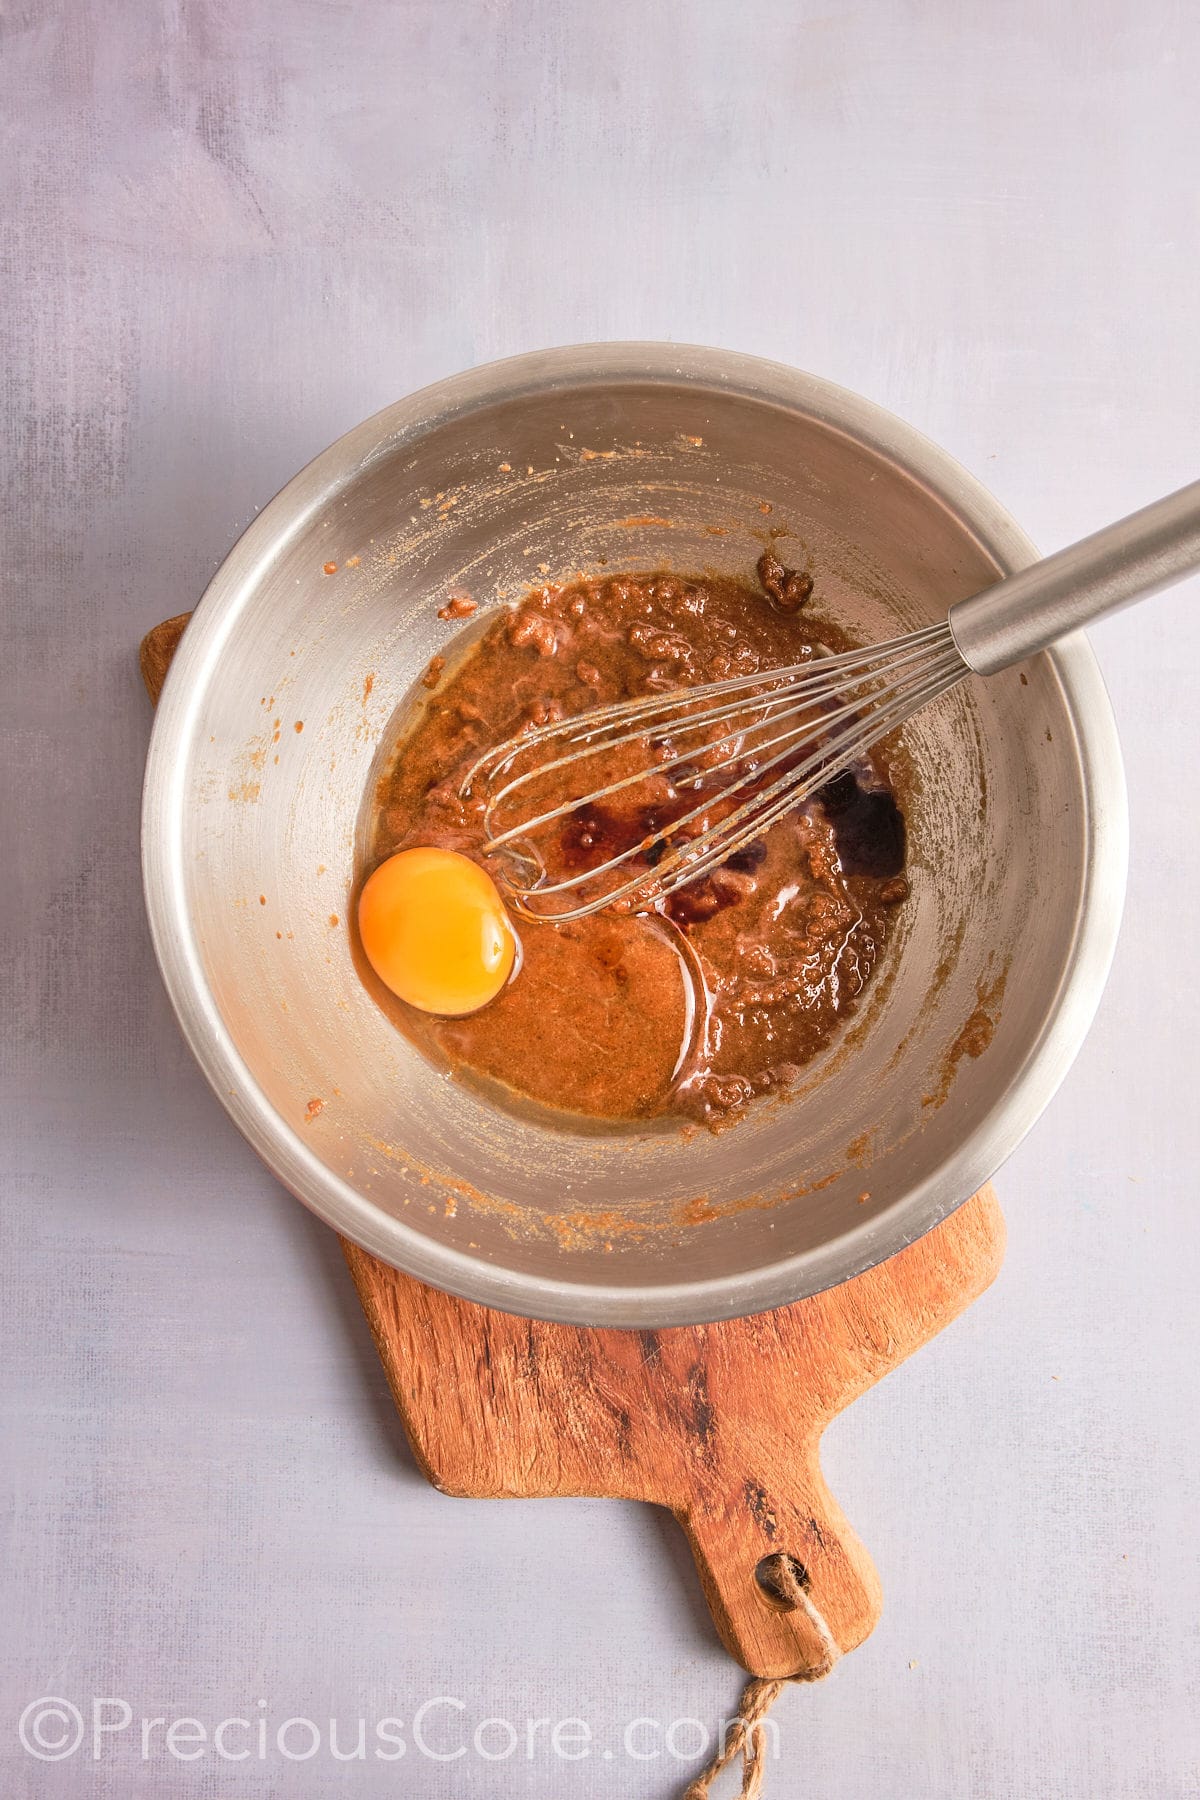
point(337, 1201)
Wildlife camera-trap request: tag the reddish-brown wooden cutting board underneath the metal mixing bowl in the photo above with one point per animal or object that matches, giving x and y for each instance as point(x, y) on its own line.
point(719, 1423)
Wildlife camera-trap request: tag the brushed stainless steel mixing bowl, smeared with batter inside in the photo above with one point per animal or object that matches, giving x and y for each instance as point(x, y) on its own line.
point(638, 454)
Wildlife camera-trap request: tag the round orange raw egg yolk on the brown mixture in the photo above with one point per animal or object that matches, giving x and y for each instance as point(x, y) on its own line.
point(436, 933)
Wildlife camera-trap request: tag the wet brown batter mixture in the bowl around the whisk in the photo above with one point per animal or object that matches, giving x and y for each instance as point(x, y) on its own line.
point(731, 984)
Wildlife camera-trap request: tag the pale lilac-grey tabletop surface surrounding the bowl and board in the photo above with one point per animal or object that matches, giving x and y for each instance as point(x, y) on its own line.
point(231, 229)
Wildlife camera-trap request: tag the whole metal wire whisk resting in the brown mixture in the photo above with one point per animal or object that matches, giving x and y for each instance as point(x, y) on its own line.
point(755, 748)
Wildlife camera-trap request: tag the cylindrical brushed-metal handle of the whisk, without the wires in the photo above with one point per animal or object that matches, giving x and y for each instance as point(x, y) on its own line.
point(1073, 588)
